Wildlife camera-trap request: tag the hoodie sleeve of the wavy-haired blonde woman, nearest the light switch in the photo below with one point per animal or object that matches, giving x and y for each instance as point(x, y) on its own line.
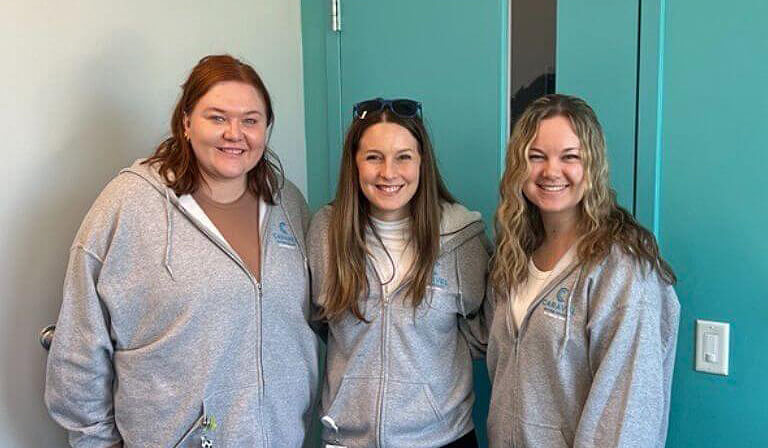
point(633, 333)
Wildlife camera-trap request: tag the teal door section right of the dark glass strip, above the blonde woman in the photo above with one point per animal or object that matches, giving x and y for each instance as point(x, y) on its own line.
point(597, 59)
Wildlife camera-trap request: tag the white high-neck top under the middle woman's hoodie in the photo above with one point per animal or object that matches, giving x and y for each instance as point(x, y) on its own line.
point(395, 235)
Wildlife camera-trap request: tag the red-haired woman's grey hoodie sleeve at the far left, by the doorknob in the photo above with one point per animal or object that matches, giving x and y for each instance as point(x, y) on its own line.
point(79, 375)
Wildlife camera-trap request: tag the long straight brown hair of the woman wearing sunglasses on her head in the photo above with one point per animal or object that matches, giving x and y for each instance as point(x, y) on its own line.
point(346, 280)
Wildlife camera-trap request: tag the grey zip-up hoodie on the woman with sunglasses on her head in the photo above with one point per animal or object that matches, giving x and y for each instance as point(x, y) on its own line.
point(405, 378)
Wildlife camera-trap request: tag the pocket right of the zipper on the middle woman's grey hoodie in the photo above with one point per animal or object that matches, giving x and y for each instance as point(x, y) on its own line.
point(409, 408)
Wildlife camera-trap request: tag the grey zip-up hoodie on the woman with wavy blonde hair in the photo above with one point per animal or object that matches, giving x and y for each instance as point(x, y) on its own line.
point(591, 365)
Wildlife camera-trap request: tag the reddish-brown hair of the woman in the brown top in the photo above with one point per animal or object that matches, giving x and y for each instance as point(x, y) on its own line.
point(175, 157)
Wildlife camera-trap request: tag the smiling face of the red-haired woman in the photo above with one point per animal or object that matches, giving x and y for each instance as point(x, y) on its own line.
point(227, 129)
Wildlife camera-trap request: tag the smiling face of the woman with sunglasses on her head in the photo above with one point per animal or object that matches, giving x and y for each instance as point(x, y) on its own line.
point(388, 162)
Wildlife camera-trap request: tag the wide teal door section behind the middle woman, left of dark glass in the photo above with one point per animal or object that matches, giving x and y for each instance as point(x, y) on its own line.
point(448, 54)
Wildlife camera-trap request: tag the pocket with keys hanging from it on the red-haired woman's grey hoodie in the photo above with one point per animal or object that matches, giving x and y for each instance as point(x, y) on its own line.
point(233, 418)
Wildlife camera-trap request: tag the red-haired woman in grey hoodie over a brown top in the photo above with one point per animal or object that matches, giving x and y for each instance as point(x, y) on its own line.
point(184, 318)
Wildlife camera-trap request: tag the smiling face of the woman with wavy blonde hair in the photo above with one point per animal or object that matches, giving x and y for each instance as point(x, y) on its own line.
point(556, 181)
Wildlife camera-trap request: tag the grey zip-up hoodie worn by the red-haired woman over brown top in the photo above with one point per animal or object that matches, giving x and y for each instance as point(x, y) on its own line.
point(164, 338)
